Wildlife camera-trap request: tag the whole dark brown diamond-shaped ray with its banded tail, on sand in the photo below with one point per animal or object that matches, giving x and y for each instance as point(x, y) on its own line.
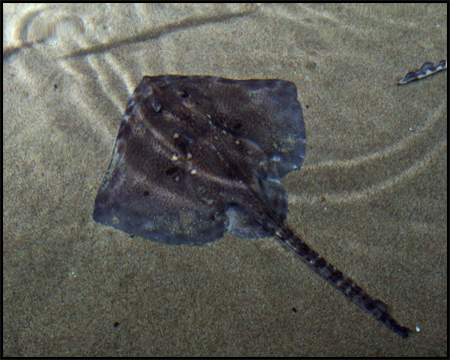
point(197, 156)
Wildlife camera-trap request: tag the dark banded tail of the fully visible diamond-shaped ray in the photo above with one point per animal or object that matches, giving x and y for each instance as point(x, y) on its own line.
point(346, 285)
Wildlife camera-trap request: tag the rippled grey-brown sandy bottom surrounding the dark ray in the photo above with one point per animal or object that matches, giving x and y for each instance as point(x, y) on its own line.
point(371, 197)
